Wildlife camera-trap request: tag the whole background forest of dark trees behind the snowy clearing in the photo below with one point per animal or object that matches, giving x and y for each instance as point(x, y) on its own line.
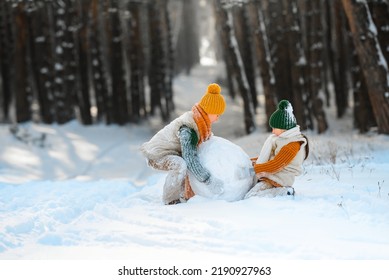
point(114, 61)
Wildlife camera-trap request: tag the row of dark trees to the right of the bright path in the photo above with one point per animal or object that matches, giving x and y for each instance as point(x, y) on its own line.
point(305, 49)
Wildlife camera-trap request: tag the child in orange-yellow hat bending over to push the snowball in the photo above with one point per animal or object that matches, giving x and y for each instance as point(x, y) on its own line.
point(174, 148)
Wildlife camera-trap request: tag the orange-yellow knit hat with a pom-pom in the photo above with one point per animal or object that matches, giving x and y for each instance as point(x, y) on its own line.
point(212, 101)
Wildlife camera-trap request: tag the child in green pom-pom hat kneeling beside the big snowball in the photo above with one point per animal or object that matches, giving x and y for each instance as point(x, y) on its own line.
point(281, 156)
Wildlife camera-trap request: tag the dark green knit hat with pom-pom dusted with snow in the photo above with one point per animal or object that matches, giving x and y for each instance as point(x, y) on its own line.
point(283, 118)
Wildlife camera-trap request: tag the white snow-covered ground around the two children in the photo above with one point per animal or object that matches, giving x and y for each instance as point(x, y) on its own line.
point(86, 193)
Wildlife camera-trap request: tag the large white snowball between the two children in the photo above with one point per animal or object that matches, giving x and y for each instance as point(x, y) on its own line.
point(227, 162)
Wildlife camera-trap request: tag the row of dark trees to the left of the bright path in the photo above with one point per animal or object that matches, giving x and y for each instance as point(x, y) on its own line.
point(94, 60)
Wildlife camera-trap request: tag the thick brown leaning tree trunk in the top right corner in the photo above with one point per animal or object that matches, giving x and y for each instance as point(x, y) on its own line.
point(371, 60)
